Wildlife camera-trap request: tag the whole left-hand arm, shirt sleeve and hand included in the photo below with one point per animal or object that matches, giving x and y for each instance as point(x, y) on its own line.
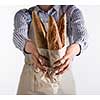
point(21, 40)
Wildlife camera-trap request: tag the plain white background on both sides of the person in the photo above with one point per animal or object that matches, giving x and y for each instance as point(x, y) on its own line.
point(86, 68)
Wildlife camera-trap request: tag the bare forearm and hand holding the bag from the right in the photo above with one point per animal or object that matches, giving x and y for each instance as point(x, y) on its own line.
point(62, 65)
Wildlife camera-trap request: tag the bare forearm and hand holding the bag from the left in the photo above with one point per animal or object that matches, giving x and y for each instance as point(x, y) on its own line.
point(40, 61)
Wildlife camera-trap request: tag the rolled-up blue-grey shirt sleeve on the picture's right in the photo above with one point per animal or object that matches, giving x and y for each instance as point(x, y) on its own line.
point(79, 32)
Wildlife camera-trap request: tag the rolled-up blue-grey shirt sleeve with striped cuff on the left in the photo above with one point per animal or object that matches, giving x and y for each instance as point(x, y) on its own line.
point(20, 34)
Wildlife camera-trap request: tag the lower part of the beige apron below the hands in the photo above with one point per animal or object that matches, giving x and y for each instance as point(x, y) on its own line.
point(28, 84)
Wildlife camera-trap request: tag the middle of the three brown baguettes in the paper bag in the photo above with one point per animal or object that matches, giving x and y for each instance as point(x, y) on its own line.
point(53, 38)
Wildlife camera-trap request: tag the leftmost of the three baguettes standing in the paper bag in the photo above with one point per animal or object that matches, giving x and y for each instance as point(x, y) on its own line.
point(39, 30)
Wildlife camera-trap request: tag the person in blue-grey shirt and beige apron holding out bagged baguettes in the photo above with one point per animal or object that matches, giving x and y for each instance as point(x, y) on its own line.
point(76, 32)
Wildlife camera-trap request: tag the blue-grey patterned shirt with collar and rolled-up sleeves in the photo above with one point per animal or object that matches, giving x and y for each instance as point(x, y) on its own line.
point(76, 30)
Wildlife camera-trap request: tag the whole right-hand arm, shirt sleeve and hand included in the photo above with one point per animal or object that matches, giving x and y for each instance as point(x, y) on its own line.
point(79, 42)
